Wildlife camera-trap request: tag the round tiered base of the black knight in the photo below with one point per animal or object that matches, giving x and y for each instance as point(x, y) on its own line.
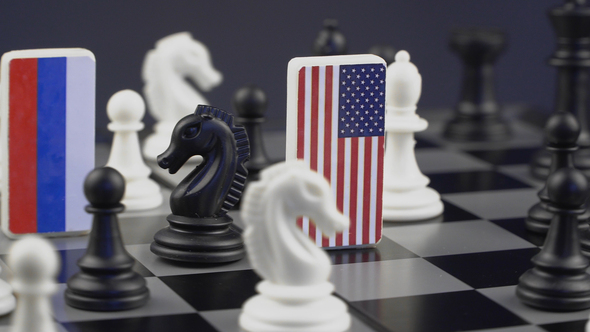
point(199, 240)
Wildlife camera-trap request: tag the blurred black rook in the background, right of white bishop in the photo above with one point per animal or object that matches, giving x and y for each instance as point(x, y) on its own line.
point(477, 115)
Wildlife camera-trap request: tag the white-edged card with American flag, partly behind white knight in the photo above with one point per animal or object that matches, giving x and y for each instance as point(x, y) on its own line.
point(335, 123)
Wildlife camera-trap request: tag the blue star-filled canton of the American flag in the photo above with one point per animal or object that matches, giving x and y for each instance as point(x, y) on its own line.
point(362, 100)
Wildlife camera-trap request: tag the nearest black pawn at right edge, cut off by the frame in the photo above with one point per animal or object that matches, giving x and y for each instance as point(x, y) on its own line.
point(559, 281)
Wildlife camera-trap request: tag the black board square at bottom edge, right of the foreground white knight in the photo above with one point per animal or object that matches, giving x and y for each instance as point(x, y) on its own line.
point(444, 312)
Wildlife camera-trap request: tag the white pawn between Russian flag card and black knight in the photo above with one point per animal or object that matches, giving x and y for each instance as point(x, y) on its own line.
point(125, 110)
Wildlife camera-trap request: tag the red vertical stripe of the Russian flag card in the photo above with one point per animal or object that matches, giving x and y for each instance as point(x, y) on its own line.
point(22, 129)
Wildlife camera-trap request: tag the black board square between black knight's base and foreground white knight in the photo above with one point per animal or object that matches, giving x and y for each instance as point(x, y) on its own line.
point(214, 291)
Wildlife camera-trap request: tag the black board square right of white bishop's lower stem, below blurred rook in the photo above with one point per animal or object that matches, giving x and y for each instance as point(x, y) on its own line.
point(471, 181)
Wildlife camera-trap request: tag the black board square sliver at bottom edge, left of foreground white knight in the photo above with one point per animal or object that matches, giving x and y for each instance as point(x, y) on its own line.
point(192, 322)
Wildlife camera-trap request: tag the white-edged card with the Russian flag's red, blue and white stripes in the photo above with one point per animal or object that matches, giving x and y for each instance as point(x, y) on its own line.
point(47, 116)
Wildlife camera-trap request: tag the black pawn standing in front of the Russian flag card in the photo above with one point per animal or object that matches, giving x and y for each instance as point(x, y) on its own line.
point(106, 281)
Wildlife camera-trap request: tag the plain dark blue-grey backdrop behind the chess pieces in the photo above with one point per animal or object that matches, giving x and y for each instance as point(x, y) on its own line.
point(252, 41)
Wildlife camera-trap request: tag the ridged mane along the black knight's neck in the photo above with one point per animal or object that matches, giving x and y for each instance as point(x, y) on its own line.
point(243, 152)
